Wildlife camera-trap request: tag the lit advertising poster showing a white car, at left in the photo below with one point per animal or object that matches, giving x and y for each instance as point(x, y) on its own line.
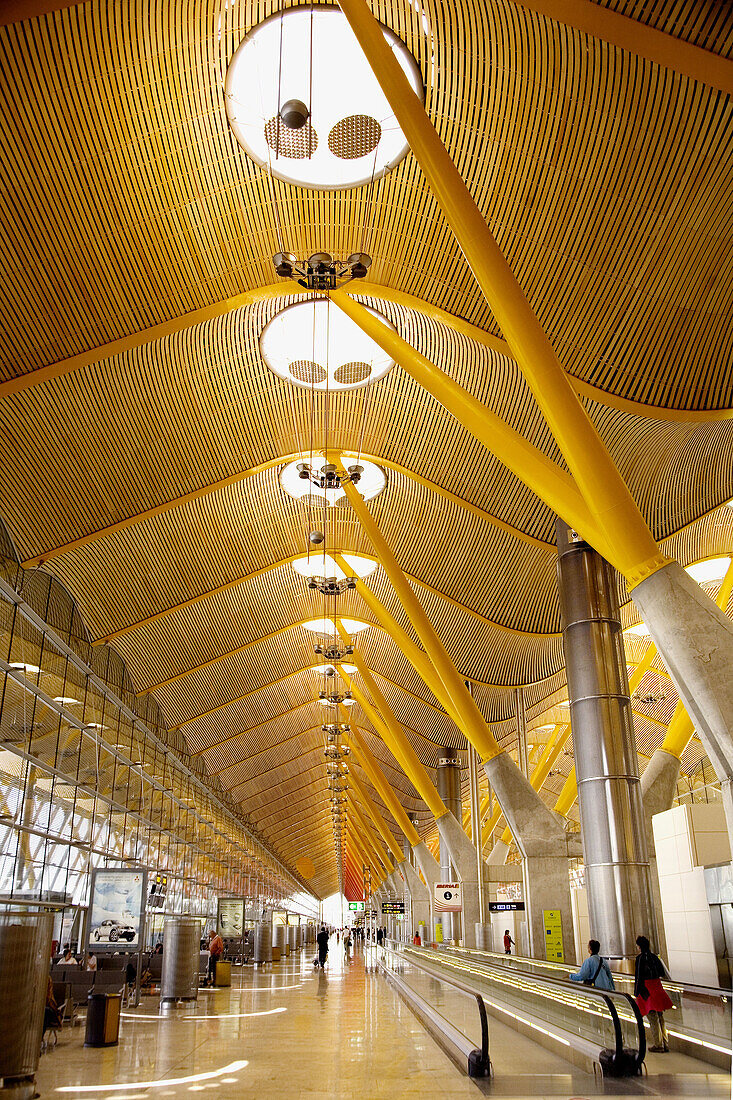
point(116, 909)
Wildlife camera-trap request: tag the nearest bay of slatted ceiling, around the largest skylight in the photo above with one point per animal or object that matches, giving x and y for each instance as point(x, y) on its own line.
point(132, 103)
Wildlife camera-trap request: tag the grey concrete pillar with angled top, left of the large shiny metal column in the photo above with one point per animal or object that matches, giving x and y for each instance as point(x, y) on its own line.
point(542, 842)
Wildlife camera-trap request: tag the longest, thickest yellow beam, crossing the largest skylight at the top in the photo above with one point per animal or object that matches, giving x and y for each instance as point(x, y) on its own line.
point(627, 541)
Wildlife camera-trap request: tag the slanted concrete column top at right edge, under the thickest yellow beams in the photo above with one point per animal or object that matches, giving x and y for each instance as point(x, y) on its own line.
point(695, 640)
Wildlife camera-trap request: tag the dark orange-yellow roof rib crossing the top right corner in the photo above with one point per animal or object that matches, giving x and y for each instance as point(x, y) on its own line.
point(639, 39)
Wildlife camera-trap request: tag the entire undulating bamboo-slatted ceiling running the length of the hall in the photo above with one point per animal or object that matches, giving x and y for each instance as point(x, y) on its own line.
point(127, 204)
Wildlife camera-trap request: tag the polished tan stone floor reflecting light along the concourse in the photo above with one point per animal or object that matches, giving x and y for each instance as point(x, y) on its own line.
point(291, 1032)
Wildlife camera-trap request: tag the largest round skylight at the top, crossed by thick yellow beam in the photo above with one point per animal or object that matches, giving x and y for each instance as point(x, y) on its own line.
point(325, 125)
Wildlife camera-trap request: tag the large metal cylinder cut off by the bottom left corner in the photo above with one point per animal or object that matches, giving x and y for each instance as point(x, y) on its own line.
point(25, 955)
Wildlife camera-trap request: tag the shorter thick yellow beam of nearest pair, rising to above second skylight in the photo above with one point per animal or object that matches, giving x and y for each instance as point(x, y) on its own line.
point(553, 485)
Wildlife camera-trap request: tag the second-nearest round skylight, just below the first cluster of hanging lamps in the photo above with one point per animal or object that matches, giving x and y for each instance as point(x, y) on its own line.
point(316, 347)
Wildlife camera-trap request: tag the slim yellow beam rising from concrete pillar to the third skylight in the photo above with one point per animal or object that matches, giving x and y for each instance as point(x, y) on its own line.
point(472, 720)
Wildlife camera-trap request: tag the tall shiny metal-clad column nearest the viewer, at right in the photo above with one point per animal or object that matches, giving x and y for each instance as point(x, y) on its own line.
point(611, 812)
